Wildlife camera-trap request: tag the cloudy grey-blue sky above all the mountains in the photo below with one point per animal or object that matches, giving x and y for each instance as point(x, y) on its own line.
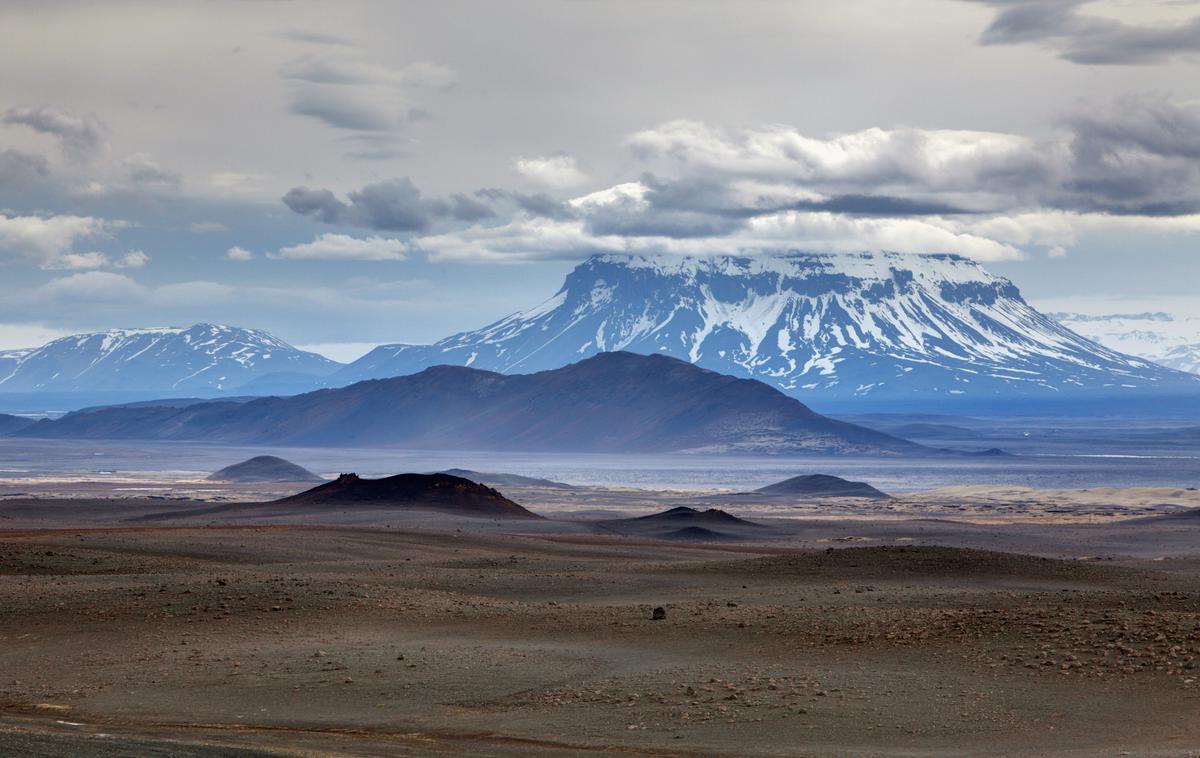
point(346, 175)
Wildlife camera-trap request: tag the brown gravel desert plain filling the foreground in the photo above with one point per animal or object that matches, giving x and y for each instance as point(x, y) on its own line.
point(206, 619)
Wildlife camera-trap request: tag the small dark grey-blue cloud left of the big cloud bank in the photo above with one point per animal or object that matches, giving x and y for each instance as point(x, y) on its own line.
point(393, 206)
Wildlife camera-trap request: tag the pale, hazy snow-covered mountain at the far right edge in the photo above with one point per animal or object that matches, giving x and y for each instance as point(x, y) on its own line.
point(1161, 338)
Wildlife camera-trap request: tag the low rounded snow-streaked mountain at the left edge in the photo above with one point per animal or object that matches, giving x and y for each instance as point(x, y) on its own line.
point(201, 359)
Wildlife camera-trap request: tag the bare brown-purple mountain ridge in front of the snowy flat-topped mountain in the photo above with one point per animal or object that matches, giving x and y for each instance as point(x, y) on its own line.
point(614, 402)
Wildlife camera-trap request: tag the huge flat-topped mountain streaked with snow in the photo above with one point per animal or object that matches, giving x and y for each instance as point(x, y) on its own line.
point(820, 328)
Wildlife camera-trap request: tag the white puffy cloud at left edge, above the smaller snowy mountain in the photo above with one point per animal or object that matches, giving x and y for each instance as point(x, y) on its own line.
point(49, 242)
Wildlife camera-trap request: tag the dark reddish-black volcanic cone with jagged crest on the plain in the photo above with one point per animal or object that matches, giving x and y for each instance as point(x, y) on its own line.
point(435, 492)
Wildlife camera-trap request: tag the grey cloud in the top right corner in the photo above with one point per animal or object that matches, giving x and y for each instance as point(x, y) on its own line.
point(1081, 38)
